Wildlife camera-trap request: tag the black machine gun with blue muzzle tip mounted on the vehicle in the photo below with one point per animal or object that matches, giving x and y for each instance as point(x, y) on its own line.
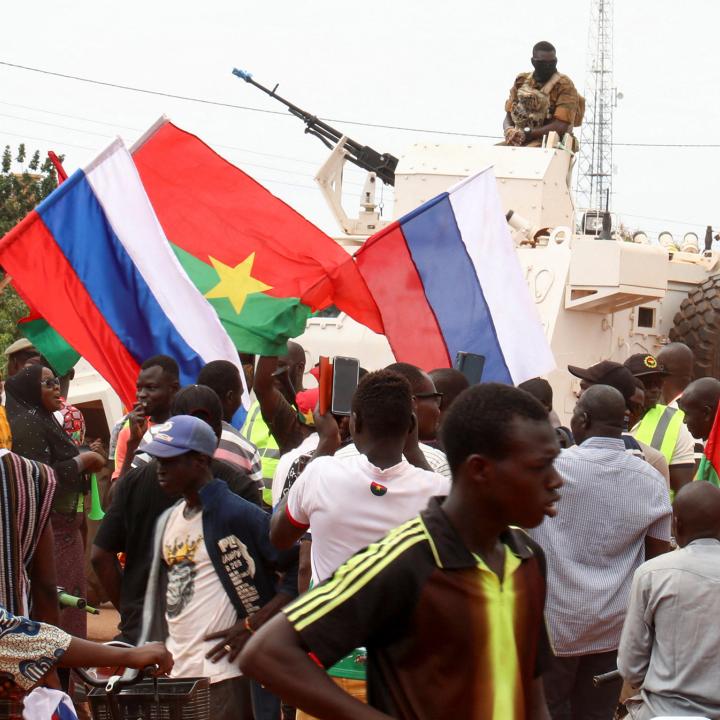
point(367, 158)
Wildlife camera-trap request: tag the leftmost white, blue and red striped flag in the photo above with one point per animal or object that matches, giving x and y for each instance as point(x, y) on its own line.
point(93, 260)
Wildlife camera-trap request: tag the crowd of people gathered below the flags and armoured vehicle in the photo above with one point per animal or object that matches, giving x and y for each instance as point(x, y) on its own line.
point(444, 551)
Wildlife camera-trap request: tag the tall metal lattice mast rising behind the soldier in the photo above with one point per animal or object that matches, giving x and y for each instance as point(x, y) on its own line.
point(594, 178)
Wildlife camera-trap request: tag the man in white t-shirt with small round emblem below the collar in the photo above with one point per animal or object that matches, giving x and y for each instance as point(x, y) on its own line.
point(350, 502)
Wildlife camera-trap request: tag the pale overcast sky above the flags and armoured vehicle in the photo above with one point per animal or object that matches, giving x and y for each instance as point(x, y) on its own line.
point(410, 63)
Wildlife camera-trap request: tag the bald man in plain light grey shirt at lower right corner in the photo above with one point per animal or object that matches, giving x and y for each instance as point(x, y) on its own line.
point(669, 644)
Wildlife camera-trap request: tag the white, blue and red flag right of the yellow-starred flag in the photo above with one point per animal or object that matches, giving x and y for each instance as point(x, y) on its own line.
point(446, 279)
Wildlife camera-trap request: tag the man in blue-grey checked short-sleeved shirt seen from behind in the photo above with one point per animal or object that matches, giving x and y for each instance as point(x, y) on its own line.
point(615, 513)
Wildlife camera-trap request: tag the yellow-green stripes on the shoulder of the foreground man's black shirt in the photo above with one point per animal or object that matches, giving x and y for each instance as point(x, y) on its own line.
point(357, 572)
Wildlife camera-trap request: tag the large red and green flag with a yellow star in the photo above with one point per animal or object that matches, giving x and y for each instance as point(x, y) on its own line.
point(263, 266)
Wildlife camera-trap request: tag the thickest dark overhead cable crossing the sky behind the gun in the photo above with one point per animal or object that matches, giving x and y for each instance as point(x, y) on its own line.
point(359, 123)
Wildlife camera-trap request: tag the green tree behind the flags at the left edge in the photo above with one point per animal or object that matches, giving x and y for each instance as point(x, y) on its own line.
point(20, 192)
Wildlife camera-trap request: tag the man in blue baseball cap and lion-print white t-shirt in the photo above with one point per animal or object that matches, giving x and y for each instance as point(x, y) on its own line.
point(214, 561)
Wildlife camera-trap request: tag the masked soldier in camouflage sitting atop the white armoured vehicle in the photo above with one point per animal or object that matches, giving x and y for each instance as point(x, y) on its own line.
point(541, 101)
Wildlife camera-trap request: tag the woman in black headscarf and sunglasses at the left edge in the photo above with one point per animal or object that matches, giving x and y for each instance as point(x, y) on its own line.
point(32, 398)
